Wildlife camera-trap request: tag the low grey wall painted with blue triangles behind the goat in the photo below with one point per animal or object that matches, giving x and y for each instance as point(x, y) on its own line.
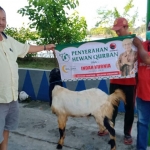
point(36, 83)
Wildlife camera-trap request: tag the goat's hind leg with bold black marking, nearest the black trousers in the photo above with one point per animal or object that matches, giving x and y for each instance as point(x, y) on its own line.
point(109, 126)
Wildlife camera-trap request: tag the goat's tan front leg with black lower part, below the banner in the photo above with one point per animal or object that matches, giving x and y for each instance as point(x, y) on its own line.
point(62, 124)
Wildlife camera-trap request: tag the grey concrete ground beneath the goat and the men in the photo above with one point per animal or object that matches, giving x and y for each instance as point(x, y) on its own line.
point(38, 130)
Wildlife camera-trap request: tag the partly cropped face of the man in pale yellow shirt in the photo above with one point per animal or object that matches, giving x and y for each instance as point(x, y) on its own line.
point(2, 20)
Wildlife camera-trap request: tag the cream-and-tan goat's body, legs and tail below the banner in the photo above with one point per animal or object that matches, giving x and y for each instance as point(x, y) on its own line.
point(93, 102)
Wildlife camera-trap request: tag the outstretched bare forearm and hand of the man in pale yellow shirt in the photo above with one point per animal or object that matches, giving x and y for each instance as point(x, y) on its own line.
point(34, 49)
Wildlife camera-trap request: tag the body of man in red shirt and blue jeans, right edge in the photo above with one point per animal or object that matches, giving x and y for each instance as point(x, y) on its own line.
point(142, 94)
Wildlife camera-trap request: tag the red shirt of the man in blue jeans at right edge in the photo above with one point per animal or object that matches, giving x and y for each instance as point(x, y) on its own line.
point(143, 86)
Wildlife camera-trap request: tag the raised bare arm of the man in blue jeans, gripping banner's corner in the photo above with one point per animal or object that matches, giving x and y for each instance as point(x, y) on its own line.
point(142, 52)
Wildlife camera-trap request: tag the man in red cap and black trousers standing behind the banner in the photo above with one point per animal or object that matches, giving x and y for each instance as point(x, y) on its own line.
point(128, 85)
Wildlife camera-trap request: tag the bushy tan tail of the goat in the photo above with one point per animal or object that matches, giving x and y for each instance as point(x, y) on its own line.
point(117, 96)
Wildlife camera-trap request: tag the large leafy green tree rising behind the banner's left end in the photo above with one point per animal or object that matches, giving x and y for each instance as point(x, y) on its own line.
point(51, 20)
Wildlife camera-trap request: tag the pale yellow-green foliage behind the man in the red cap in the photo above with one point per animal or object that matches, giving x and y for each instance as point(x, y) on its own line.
point(106, 19)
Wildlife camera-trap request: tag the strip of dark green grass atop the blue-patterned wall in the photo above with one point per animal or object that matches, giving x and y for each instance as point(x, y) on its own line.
point(37, 63)
